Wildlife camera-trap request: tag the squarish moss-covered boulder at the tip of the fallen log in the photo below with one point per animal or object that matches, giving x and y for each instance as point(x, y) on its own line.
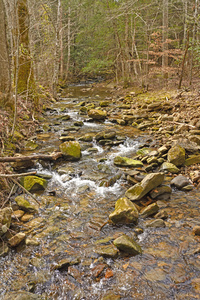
point(71, 150)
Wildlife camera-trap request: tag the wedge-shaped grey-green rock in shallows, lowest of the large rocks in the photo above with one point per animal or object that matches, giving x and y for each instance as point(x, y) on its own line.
point(127, 244)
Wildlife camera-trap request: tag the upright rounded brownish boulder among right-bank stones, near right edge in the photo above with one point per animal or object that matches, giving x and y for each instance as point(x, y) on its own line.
point(176, 155)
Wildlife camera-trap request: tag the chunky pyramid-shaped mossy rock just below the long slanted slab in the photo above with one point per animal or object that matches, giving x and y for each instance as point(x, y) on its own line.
point(125, 212)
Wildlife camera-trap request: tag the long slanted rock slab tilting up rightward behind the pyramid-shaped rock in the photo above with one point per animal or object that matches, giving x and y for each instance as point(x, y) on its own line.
point(150, 182)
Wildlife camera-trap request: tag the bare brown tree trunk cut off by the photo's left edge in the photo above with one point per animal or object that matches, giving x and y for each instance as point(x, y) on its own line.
point(5, 78)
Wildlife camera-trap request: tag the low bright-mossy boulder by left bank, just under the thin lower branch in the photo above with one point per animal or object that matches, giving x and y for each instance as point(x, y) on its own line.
point(33, 183)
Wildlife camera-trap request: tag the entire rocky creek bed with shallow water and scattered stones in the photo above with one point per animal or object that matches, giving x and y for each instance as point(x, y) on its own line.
point(117, 216)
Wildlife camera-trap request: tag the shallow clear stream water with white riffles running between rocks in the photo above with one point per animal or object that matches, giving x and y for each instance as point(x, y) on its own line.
point(71, 223)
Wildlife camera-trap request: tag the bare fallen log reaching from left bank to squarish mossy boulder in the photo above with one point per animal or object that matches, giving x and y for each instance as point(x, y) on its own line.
point(53, 156)
